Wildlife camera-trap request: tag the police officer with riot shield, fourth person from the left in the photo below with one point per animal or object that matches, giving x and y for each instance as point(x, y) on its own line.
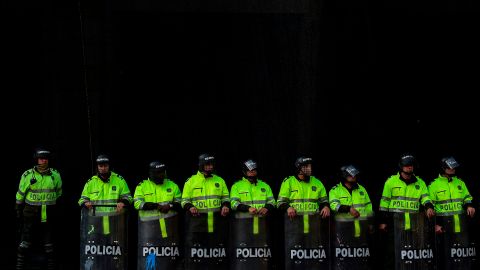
point(205, 198)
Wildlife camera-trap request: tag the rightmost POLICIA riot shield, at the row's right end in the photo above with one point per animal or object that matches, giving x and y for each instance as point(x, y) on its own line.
point(455, 247)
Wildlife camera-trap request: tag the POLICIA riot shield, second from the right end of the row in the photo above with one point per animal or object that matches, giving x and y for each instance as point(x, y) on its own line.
point(413, 241)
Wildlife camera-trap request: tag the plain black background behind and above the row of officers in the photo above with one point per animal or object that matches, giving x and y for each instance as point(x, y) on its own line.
point(344, 81)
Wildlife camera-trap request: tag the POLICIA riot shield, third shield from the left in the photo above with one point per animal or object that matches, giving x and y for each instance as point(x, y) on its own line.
point(206, 241)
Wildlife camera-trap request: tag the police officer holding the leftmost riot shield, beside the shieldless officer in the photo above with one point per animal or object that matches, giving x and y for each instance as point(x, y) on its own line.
point(104, 225)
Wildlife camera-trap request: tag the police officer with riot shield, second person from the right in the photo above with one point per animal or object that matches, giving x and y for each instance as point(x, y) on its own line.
point(403, 197)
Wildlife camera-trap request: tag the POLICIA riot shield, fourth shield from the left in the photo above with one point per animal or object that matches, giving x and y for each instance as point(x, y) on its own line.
point(251, 242)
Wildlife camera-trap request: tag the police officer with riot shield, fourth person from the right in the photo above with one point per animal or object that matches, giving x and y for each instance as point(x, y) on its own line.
point(304, 199)
